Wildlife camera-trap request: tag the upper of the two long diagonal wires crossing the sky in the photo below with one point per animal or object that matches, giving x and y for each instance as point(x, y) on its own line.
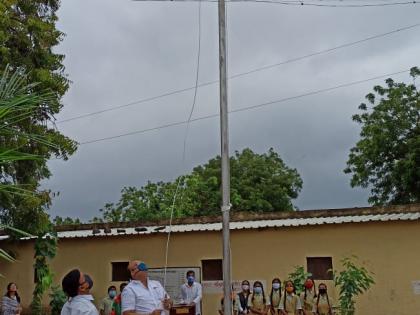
point(152, 98)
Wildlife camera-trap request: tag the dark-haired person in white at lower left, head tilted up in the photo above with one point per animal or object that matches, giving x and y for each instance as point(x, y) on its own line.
point(79, 300)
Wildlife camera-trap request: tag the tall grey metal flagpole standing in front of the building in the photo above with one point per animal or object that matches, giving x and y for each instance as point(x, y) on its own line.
point(224, 135)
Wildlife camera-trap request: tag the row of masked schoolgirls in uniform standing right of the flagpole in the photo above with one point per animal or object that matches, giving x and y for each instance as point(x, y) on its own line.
point(282, 301)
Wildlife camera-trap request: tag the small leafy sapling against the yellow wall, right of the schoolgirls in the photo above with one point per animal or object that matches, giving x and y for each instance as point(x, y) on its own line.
point(353, 281)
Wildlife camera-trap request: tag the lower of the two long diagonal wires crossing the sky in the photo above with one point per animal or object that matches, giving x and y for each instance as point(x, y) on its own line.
point(246, 108)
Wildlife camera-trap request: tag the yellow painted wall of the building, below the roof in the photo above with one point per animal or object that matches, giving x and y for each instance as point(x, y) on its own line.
point(389, 249)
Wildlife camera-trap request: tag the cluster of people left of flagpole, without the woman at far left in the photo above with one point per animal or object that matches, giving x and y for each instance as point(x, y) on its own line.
point(141, 296)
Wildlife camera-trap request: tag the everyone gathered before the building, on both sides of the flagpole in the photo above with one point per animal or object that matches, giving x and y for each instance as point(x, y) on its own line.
point(143, 296)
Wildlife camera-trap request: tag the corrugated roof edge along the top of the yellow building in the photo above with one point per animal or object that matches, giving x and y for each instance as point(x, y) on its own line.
point(243, 221)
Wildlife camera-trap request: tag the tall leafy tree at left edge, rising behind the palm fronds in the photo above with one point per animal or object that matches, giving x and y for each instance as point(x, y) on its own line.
point(27, 37)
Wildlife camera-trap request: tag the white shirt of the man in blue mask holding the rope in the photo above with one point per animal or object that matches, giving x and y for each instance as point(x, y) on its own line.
point(137, 297)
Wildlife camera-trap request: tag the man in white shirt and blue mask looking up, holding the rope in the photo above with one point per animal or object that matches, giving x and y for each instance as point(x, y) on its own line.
point(143, 296)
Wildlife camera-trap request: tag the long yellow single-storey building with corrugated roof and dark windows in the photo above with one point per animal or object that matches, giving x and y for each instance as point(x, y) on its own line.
point(263, 246)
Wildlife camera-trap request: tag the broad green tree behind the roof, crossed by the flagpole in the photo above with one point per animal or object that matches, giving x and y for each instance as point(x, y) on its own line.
point(259, 183)
